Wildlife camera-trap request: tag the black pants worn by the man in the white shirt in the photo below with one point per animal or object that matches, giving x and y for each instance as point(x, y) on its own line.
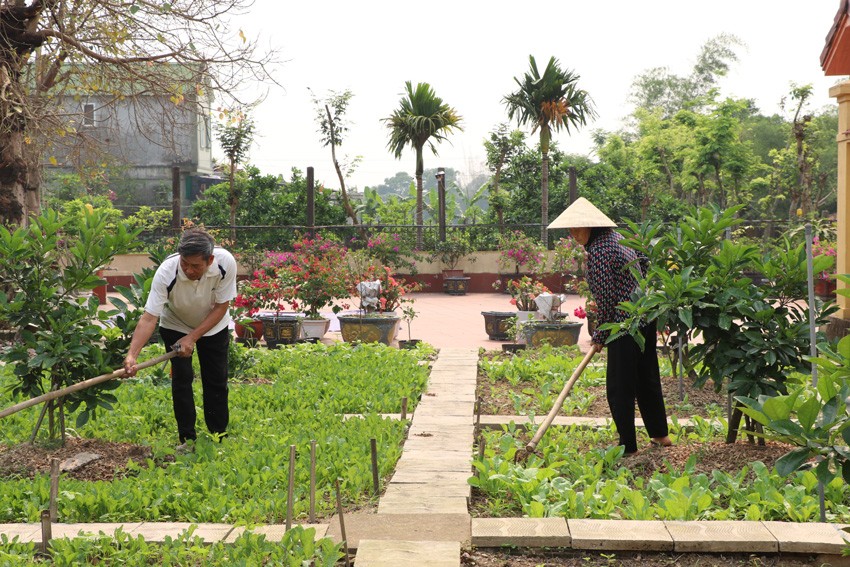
point(212, 356)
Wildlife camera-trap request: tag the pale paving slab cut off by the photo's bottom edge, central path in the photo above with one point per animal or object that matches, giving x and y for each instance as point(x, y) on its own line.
point(377, 553)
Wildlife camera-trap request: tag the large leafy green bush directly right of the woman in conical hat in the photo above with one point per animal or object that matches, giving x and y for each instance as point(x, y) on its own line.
point(739, 308)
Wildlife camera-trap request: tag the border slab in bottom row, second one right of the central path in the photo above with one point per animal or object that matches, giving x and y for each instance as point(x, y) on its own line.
point(620, 535)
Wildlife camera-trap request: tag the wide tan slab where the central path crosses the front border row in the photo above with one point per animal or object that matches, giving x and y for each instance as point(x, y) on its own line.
point(403, 527)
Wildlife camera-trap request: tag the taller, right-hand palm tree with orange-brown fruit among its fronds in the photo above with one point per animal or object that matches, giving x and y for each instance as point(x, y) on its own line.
point(548, 101)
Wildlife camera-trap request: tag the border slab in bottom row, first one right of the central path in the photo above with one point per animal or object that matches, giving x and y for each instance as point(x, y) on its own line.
point(520, 532)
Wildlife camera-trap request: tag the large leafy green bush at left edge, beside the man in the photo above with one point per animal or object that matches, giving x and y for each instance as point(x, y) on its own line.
point(48, 270)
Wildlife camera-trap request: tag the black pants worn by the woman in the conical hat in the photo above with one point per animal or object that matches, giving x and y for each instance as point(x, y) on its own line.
point(634, 375)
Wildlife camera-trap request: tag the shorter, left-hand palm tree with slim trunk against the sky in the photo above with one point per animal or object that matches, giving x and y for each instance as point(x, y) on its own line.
point(422, 117)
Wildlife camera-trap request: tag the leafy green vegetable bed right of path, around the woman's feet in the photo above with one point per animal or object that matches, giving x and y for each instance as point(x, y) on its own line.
point(579, 472)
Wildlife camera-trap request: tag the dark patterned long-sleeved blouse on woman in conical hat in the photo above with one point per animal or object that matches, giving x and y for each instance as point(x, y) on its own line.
point(609, 278)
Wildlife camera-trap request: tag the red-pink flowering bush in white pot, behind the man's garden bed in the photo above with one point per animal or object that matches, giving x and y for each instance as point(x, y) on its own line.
point(317, 281)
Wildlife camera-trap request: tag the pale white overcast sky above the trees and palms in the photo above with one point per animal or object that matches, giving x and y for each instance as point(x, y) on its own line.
point(469, 51)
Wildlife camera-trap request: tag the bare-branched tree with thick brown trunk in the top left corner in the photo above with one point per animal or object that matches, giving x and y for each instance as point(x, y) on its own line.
point(118, 50)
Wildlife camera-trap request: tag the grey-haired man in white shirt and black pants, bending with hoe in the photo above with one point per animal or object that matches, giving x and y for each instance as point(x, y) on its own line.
point(190, 296)
